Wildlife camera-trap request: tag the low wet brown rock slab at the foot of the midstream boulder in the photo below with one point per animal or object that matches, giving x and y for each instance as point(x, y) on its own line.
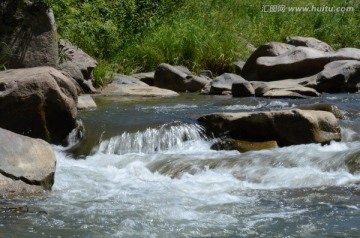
point(243, 146)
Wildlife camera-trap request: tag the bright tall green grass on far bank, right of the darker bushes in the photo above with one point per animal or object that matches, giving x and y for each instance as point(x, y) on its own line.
point(210, 34)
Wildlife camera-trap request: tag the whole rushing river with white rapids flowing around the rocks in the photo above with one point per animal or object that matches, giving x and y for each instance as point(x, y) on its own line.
point(144, 168)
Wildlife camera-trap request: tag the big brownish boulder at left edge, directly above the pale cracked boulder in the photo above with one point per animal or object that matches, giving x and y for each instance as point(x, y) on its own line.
point(38, 102)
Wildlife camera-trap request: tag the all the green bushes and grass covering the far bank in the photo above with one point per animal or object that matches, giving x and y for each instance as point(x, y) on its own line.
point(137, 35)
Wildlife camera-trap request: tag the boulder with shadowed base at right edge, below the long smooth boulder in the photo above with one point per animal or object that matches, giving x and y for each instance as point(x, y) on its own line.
point(338, 76)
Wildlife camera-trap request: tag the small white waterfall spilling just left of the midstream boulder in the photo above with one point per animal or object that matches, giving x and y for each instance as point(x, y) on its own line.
point(168, 136)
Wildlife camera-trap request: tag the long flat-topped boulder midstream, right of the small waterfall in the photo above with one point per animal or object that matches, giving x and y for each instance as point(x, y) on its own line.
point(287, 127)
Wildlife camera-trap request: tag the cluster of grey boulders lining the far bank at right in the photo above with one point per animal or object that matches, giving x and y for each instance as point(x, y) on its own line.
point(303, 67)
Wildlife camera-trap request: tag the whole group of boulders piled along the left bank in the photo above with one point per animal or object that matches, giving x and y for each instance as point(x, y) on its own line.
point(39, 93)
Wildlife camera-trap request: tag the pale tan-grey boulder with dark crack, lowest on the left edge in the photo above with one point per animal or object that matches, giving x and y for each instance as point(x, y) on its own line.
point(27, 165)
